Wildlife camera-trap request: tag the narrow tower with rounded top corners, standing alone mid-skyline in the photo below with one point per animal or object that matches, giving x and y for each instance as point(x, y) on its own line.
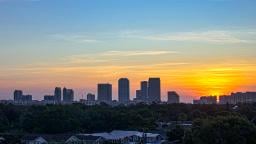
point(123, 90)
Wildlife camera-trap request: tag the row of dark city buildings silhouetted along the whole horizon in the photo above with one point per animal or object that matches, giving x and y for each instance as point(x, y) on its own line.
point(149, 92)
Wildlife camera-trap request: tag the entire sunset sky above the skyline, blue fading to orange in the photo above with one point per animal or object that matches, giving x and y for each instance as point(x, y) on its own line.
point(196, 47)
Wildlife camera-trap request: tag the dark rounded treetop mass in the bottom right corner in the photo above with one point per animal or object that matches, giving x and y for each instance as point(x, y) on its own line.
point(222, 130)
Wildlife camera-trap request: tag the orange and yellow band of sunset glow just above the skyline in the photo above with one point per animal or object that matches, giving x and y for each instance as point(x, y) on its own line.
point(189, 81)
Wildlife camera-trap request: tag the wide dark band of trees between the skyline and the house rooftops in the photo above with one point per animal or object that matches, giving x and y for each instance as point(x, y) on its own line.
point(80, 118)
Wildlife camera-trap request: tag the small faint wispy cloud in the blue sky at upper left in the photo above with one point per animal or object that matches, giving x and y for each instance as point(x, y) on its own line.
point(74, 38)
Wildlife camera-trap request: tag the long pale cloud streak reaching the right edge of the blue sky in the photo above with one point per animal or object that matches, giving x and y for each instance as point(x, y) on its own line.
point(209, 36)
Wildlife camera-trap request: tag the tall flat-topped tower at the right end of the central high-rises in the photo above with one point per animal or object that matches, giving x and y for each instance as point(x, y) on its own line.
point(154, 90)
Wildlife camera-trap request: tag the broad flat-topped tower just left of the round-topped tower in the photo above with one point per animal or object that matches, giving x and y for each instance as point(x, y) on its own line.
point(105, 92)
